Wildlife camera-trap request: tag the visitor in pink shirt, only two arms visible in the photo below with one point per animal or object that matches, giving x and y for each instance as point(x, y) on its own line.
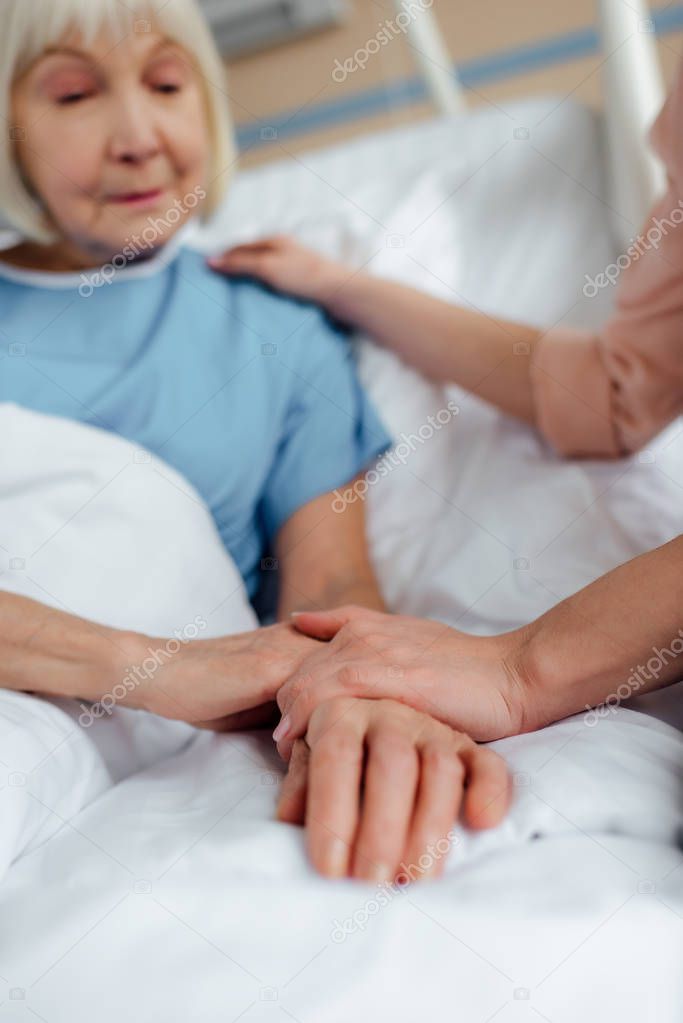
point(600, 395)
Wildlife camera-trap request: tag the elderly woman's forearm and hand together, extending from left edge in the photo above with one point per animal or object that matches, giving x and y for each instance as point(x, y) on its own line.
point(211, 683)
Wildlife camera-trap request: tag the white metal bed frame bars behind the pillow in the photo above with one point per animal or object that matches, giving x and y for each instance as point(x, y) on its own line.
point(632, 88)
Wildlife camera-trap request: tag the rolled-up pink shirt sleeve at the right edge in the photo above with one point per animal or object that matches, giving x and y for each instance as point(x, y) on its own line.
point(611, 393)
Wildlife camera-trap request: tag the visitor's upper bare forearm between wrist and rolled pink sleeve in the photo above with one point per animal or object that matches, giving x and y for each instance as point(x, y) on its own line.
point(488, 357)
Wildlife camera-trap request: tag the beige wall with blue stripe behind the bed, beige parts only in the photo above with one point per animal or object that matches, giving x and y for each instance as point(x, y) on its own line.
point(299, 75)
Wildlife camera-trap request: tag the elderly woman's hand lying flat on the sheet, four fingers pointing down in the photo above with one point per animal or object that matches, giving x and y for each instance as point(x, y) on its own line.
point(380, 787)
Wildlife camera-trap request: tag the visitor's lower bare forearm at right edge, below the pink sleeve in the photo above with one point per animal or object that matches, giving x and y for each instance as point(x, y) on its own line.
point(620, 637)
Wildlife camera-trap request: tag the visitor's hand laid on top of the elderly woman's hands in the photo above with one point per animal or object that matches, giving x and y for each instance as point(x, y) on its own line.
point(470, 683)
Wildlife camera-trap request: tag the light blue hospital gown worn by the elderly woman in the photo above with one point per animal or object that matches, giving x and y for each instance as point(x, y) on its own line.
point(252, 396)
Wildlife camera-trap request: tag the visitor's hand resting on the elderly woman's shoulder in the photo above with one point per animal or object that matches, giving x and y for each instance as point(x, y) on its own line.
point(287, 266)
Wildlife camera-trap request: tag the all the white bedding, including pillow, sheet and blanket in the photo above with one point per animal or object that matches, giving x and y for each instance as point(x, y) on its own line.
point(174, 895)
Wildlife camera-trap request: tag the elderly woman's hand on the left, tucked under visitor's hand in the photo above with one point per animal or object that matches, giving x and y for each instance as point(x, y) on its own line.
point(225, 684)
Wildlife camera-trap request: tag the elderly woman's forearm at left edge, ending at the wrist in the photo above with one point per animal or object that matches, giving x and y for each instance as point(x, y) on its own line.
point(57, 654)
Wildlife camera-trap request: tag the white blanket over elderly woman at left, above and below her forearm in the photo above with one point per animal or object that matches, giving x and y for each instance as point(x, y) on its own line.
point(99, 528)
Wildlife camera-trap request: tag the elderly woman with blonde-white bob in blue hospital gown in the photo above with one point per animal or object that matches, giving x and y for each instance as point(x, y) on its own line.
point(119, 135)
